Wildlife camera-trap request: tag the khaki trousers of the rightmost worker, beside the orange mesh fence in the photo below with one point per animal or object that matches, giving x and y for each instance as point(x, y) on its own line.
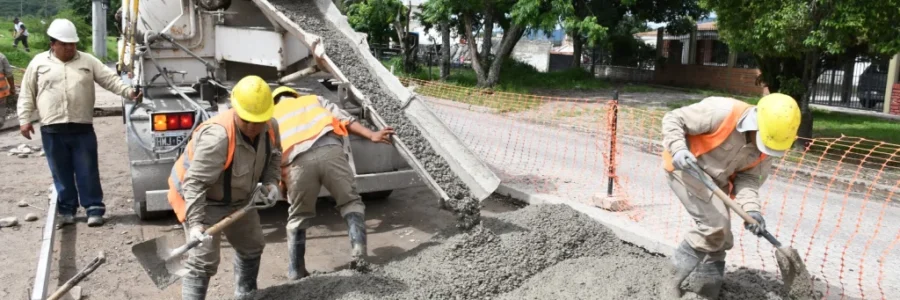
point(712, 230)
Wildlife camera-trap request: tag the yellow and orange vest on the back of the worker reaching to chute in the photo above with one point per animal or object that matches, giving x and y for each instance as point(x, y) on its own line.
point(304, 118)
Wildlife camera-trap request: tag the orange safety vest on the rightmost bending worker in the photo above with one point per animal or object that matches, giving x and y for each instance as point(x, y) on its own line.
point(704, 143)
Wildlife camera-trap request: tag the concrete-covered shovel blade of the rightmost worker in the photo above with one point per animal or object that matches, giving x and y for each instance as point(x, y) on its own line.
point(798, 283)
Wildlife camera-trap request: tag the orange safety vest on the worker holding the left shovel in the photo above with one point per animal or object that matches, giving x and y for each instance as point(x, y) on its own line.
point(176, 178)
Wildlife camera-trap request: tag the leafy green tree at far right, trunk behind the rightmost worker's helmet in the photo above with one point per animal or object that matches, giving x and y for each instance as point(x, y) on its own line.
point(790, 39)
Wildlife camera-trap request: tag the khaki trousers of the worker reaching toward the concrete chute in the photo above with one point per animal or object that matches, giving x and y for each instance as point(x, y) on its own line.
point(321, 166)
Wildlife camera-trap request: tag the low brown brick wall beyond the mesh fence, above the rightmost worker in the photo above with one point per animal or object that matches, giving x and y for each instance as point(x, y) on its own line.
point(735, 80)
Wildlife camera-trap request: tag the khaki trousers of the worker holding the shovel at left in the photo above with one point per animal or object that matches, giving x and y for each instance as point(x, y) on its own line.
point(244, 235)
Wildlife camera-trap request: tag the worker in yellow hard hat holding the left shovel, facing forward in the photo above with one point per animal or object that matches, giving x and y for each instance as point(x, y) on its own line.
point(223, 162)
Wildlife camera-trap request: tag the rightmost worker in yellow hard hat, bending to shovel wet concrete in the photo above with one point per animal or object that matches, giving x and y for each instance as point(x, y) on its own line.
point(734, 143)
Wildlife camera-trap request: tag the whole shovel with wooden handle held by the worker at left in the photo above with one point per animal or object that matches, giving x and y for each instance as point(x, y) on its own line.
point(162, 257)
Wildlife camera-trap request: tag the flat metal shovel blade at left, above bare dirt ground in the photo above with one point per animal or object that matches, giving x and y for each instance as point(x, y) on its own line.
point(155, 257)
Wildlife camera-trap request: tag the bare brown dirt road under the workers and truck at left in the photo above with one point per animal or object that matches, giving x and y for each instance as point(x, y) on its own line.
point(404, 221)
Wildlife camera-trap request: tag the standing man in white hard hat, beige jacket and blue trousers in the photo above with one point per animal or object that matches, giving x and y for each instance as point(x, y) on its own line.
point(58, 85)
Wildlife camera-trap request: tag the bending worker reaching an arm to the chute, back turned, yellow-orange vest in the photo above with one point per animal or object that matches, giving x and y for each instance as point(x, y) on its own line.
point(311, 133)
